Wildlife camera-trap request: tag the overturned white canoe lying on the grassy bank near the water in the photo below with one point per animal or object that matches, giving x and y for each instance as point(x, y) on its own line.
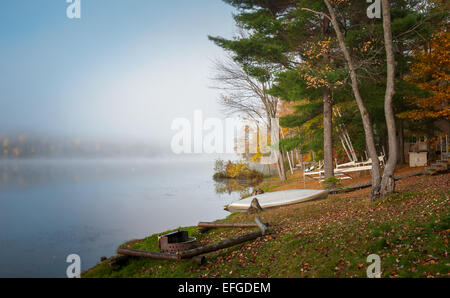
point(279, 198)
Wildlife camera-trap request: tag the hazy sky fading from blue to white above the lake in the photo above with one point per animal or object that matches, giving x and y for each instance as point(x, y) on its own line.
point(127, 68)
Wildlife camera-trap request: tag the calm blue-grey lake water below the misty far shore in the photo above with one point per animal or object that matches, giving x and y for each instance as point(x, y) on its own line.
point(50, 209)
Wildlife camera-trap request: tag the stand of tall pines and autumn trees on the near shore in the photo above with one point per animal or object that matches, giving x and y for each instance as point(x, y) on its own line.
point(365, 71)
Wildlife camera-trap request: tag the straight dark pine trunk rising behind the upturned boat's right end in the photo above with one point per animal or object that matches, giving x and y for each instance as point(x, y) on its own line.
point(328, 134)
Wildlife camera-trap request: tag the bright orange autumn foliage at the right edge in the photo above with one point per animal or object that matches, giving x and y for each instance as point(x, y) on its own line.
point(430, 72)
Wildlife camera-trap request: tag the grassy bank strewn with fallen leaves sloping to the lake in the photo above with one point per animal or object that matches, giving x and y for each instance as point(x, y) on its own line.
point(328, 238)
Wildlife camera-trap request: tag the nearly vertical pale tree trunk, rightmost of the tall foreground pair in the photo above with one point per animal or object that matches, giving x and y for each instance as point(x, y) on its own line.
point(388, 182)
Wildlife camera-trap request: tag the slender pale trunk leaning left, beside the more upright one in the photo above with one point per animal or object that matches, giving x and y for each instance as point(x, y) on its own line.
point(367, 122)
